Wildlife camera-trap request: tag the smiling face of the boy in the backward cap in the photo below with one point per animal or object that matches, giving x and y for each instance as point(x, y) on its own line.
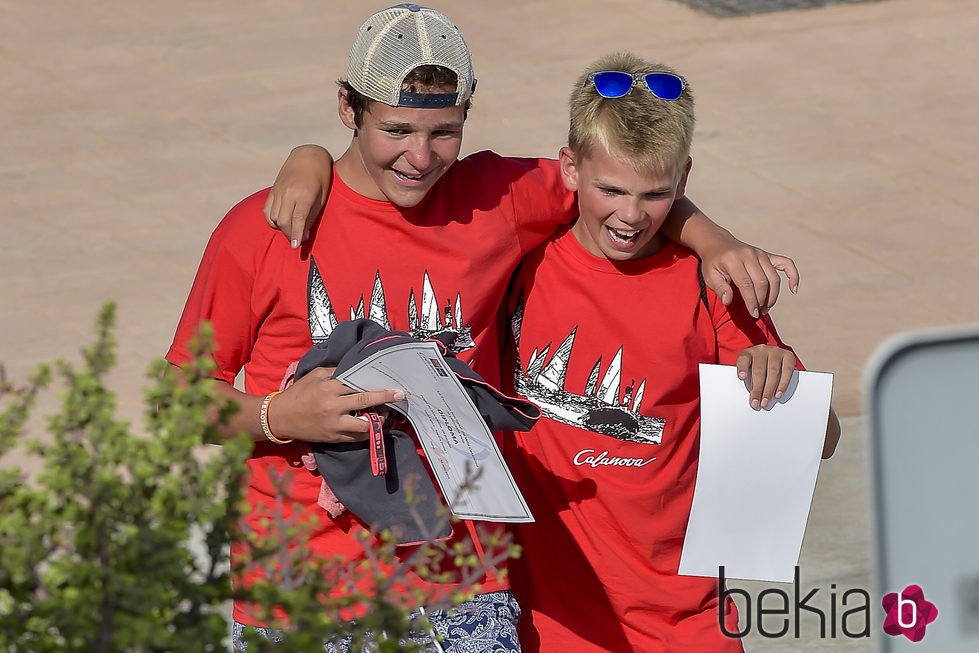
point(399, 153)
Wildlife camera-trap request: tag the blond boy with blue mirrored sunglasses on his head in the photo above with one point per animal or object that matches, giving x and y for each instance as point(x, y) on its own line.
point(609, 470)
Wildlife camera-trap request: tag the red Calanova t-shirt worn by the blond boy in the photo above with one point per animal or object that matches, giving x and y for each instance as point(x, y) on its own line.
point(598, 570)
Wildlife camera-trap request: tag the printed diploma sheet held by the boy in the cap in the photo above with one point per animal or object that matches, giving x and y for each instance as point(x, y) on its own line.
point(451, 431)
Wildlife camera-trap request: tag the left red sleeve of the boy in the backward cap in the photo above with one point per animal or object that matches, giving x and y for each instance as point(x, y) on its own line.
point(223, 288)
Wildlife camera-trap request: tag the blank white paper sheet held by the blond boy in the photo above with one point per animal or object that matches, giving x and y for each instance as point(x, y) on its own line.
point(755, 478)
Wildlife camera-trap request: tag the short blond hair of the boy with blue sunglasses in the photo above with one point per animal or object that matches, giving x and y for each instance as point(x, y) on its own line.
point(638, 127)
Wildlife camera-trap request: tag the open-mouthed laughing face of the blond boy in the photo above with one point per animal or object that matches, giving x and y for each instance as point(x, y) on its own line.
point(620, 209)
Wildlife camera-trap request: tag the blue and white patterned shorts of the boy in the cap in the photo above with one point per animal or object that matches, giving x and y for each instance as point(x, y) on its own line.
point(485, 624)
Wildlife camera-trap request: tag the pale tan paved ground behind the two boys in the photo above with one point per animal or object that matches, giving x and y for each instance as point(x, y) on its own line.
point(844, 136)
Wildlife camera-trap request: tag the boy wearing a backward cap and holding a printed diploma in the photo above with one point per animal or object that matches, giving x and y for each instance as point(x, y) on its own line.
point(411, 238)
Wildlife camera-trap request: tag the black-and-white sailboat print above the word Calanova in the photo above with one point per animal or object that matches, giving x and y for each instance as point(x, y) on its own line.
point(601, 408)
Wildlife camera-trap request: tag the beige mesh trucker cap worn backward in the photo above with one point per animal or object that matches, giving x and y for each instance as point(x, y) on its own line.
point(395, 41)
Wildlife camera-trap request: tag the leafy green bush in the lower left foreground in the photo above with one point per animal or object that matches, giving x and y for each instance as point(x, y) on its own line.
point(120, 542)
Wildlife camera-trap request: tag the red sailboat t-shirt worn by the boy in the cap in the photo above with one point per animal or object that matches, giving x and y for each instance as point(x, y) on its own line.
point(443, 264)
